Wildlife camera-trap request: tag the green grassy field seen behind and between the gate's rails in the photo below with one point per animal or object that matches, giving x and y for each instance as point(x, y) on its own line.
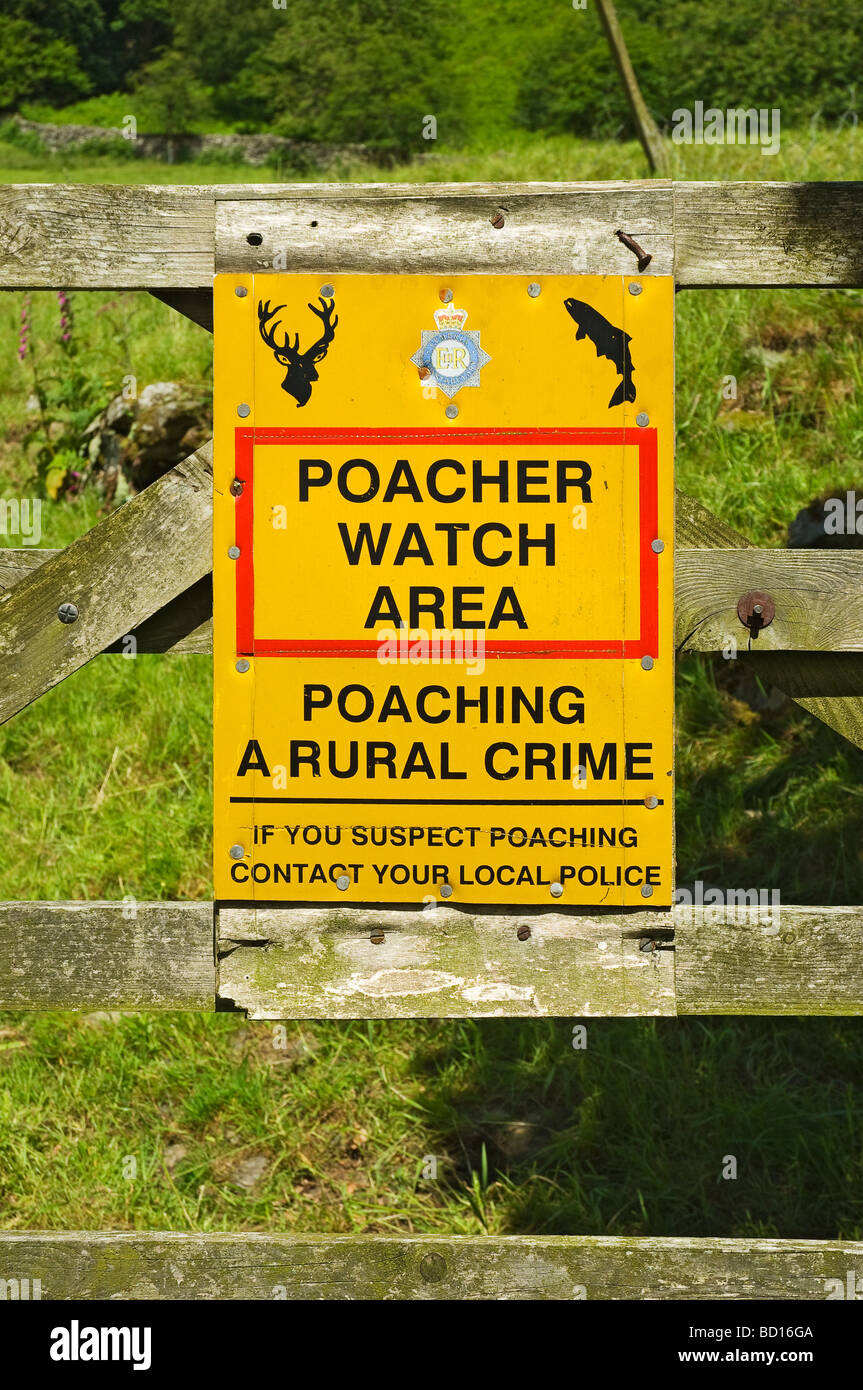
point(334, 1131)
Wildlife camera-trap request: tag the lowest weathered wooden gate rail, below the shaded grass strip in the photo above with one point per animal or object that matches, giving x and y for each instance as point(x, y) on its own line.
point(94, 1266)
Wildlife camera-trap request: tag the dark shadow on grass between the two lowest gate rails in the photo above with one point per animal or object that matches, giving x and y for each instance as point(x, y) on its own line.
point(633, 1134)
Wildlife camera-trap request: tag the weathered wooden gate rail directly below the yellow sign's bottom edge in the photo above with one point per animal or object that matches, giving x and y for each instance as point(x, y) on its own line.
point(450, 963)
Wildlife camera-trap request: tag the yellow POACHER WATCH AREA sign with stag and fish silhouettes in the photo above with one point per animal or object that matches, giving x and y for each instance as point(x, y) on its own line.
point(444, 590)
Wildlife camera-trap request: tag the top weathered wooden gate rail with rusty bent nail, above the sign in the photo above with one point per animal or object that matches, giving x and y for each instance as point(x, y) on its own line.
point(172, 238)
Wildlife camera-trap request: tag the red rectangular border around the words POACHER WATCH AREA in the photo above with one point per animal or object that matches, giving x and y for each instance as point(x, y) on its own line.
point(609, 648)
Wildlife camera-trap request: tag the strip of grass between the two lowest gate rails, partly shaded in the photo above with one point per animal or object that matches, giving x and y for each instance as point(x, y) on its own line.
point(334, 1129)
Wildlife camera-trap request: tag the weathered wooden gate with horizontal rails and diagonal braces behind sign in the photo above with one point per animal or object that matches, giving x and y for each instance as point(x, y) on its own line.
point(145, 571)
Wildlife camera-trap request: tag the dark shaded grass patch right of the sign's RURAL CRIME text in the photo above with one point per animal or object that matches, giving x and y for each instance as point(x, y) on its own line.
point(765, 799)
